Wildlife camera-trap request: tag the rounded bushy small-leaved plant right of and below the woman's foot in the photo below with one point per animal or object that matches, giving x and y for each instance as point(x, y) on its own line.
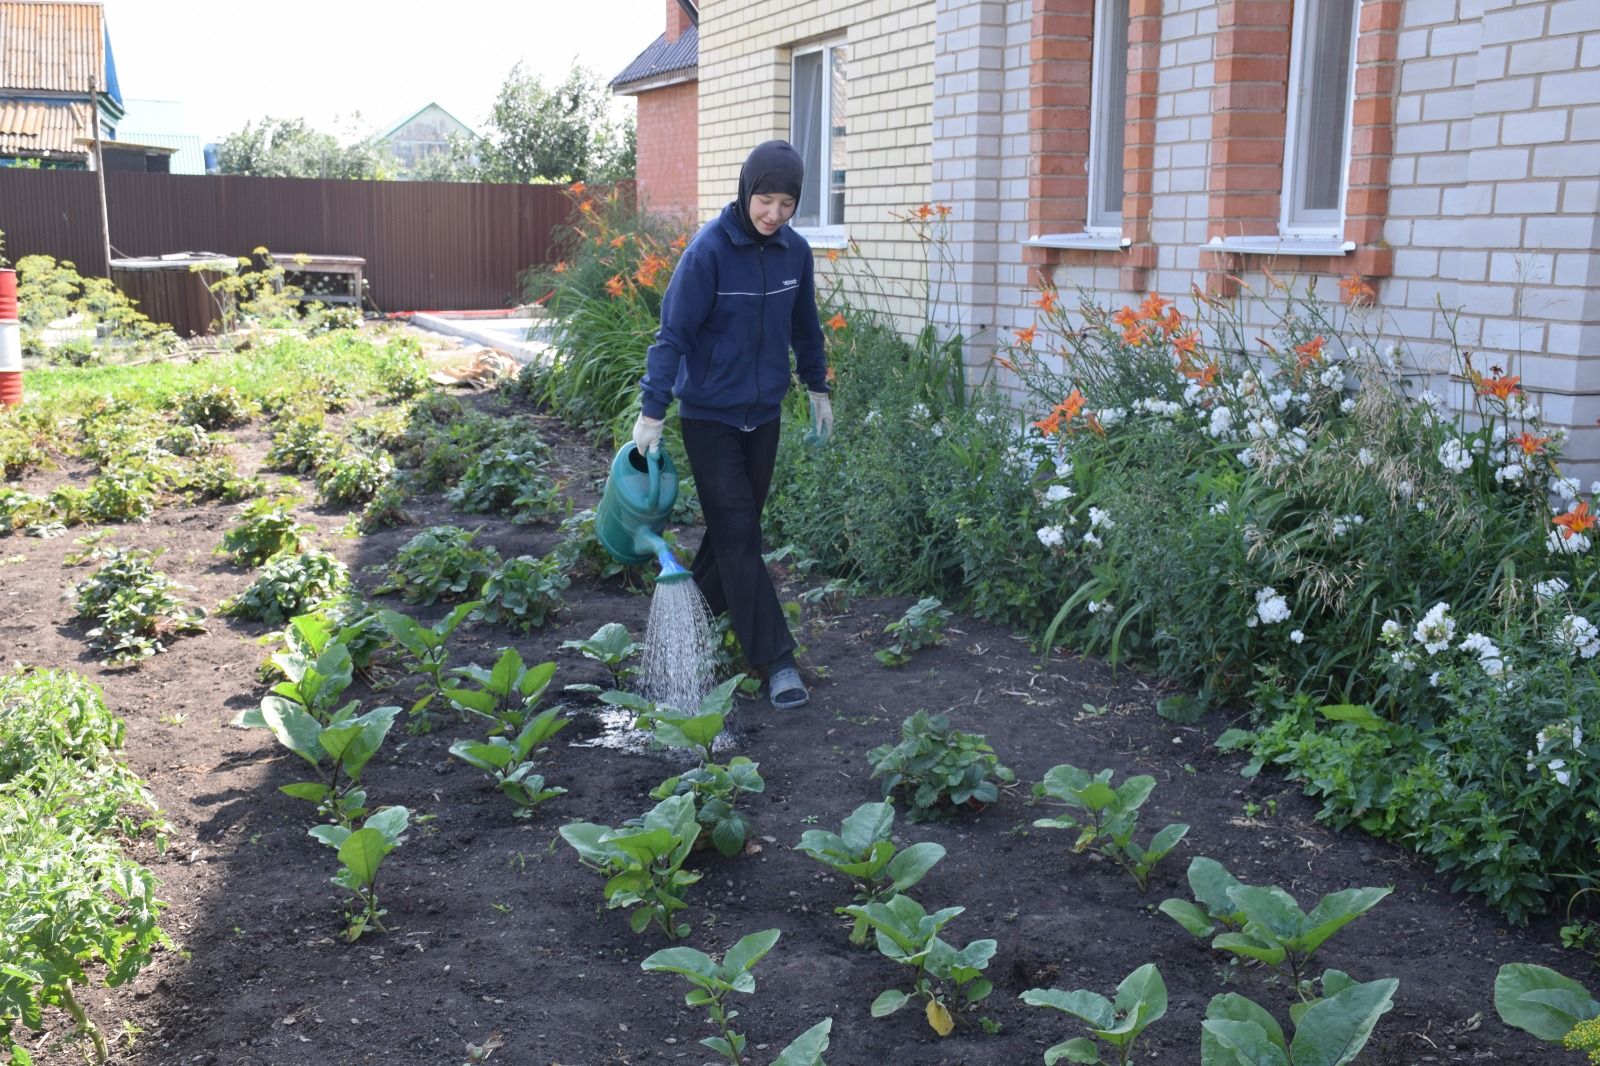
point(938, 769)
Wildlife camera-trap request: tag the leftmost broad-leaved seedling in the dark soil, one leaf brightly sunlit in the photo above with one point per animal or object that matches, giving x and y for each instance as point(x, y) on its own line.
point(338, 751)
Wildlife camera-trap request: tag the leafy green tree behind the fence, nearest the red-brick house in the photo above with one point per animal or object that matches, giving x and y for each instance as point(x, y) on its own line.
point(562, 134)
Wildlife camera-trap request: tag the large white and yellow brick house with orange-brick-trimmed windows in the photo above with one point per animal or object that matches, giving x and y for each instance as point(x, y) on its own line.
point(1447, 151)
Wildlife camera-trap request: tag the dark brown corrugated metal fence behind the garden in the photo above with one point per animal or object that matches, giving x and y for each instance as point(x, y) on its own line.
point(428, 246)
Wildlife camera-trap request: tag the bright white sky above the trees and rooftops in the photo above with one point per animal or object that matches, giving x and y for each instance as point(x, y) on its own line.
point(230, 63)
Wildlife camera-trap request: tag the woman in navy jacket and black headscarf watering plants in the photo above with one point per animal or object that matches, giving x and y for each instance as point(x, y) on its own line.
point(742, 297)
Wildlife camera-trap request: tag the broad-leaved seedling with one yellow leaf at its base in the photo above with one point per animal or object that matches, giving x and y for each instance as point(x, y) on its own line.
point(948, 980)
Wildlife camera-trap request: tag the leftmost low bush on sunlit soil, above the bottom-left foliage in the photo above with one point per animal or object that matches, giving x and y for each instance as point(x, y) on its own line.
point(132, 607)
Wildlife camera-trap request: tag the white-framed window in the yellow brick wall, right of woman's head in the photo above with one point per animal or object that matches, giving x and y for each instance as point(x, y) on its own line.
point(818, 100)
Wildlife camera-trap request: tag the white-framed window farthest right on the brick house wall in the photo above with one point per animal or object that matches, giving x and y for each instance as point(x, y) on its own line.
point(1319, 118)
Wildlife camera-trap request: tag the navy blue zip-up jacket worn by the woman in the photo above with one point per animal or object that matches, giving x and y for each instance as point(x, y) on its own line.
point(732, 313)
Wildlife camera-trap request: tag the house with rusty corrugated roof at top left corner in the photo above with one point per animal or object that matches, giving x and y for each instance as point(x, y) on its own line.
point(58, 81)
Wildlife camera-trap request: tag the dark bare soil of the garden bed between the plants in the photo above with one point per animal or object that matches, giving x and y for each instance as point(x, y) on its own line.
point(495, 928)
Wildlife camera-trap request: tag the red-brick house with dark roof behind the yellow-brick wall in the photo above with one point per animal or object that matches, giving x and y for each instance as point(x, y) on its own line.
point(665, 84)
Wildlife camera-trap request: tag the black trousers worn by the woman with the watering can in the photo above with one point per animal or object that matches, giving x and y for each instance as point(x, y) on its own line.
point(734, 470)
